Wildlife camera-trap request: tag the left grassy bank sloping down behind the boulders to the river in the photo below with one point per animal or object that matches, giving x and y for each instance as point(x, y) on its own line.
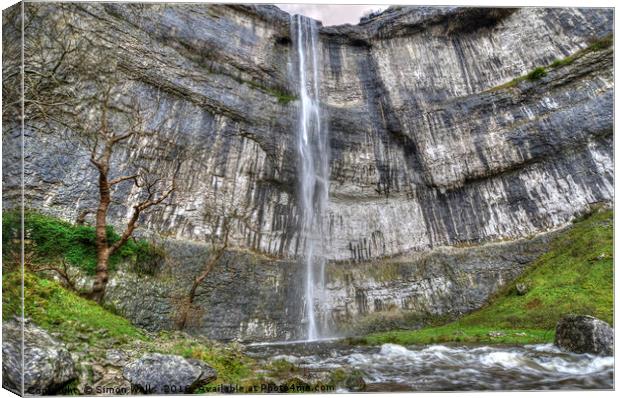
point(78, 320)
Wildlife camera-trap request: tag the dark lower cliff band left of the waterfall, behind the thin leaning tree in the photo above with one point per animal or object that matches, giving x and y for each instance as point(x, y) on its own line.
point(247, 297)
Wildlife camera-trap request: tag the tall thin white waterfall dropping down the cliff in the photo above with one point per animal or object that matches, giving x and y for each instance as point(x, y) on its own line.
point(313, 171)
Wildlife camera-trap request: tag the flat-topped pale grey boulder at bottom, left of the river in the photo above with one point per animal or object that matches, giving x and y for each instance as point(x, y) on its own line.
point(168, 374)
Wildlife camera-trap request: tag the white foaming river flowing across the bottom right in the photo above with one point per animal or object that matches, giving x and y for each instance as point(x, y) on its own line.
point(392, 367)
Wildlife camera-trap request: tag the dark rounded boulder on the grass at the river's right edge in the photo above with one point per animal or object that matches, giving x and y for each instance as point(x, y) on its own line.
point(584, 334)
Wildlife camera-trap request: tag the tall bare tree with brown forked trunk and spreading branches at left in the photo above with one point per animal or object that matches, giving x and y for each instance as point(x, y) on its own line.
point(74, 86)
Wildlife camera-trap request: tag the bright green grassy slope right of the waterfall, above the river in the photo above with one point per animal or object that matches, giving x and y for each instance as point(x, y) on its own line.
point(575, 276)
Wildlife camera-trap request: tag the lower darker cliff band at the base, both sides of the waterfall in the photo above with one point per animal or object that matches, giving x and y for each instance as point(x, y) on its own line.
point(358, 298)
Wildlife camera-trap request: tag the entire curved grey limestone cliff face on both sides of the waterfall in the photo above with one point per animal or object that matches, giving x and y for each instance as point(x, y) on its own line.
point(425, 150)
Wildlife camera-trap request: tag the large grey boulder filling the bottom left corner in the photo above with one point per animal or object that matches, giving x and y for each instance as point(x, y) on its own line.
point(48, 365)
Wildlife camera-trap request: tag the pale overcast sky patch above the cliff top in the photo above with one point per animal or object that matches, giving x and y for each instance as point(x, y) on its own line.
point(331, 15)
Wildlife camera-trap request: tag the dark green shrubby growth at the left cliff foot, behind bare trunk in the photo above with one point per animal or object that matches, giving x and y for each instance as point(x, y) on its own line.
point(50, 239)
